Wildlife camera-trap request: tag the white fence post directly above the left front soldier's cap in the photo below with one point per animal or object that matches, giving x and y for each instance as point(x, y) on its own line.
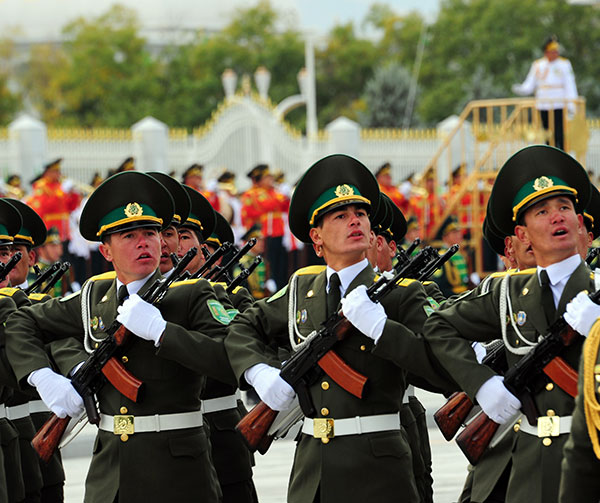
point(150, 144)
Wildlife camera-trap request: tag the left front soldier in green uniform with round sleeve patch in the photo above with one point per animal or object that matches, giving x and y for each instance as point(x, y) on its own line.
point(154, 449)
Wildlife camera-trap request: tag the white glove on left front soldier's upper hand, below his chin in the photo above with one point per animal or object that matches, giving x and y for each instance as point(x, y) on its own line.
point(142, 319)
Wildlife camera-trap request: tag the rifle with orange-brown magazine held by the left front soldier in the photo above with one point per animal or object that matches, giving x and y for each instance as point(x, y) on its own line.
point(102, 365)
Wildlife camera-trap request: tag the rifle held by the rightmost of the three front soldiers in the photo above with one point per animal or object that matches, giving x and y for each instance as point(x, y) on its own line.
point(520, 381)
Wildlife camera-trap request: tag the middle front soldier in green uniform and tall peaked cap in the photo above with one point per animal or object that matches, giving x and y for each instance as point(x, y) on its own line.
point(363, 455)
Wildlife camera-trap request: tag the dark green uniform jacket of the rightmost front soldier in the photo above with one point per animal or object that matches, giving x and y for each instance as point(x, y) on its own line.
point(535, 472)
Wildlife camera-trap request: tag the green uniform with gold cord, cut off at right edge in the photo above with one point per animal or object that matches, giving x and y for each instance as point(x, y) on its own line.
point(580, 480)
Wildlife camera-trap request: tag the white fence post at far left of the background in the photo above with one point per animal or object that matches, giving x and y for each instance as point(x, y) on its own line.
point(28, 140)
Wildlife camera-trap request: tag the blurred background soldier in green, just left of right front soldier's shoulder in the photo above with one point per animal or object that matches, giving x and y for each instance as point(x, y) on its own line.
point(453, 277)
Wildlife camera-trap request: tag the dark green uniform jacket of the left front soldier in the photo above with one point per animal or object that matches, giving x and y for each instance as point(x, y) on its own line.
point(167, 466)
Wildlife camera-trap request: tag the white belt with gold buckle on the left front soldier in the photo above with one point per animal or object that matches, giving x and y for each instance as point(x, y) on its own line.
point(127, 424)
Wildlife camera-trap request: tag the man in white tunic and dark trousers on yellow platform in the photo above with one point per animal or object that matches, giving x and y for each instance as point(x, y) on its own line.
point(551, 78)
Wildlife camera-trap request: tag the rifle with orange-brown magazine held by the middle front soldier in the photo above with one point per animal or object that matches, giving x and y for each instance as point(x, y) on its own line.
point(305, 366)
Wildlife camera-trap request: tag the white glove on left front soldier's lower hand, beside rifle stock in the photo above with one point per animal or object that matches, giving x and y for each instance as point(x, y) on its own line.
point(56, 392)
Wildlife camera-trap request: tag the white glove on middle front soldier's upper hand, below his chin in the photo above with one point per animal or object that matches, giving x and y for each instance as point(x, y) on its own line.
point(368, 316)
